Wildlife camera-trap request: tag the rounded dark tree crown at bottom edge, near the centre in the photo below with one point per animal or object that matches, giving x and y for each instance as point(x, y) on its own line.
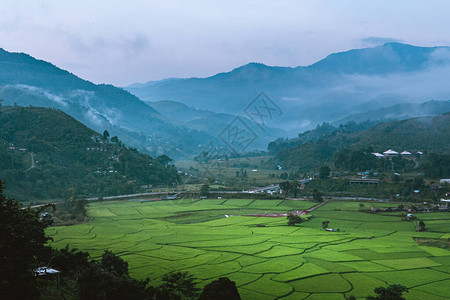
point(220, 289)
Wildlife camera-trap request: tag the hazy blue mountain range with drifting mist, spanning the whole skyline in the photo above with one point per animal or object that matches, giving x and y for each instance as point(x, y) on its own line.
point(180, 117)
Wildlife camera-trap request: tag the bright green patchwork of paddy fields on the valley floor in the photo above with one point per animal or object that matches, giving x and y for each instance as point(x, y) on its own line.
point(272, 262)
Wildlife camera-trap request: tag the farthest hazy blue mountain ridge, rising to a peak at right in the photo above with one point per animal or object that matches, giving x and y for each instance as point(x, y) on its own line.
point(341, 84)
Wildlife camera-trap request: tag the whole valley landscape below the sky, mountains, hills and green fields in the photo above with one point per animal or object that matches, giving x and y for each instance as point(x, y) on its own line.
point(323, 181)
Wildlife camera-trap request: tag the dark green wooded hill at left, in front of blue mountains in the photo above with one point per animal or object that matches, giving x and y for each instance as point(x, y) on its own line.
point(67, 154)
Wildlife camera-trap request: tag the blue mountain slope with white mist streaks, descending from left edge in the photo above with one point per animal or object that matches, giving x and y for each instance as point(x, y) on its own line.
point(26, 81)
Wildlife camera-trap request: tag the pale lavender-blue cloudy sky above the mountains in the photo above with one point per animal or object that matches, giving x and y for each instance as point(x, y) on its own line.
point(124, 42)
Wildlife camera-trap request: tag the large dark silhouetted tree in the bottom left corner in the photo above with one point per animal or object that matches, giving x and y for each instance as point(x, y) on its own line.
point(22, 243)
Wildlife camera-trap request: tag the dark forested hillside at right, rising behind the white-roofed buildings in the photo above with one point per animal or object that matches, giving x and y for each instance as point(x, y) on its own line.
point(321, 146)
